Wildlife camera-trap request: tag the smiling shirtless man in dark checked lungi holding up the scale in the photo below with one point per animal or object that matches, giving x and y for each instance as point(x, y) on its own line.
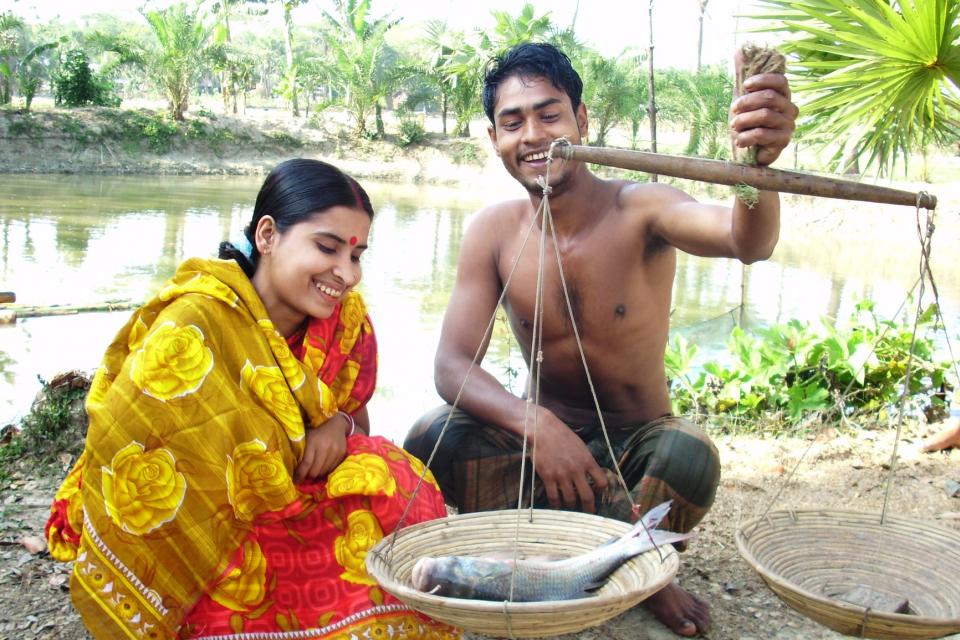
point(618, 241)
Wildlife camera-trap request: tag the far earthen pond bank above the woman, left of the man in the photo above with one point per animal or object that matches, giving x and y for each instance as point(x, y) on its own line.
point(98, 140)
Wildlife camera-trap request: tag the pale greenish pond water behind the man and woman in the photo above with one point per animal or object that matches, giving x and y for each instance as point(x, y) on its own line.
point(92, 239)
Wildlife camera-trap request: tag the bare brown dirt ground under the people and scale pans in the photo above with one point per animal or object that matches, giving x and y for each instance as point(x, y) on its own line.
point(840, 470)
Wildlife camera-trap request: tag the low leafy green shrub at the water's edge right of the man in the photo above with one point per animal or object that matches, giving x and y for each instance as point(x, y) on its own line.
point(783, 375)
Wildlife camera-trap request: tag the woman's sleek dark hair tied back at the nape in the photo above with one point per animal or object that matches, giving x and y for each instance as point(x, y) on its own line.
point(295, 190)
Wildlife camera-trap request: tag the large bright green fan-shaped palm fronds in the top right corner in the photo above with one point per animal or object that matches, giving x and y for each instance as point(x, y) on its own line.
point(878, 79)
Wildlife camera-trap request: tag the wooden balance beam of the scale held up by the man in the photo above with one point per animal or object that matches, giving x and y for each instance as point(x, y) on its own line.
point(763, 178)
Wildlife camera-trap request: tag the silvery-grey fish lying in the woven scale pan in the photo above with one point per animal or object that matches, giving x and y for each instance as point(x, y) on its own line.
point(489, 578)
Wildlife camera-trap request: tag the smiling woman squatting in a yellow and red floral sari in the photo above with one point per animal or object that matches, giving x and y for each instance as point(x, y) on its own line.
point(227, 484)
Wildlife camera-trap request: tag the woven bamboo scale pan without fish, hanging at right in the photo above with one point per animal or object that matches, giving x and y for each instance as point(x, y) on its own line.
point(814, 559)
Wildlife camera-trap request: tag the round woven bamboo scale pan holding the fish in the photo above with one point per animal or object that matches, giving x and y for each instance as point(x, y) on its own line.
point(551, 533)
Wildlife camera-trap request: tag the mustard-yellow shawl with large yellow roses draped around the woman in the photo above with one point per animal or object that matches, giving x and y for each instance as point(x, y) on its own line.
point(197, 417)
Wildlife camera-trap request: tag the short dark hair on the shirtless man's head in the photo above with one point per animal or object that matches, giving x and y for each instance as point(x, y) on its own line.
point(532, 59)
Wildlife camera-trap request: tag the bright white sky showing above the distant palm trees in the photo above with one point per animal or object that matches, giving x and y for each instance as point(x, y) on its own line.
point(608, 26)
